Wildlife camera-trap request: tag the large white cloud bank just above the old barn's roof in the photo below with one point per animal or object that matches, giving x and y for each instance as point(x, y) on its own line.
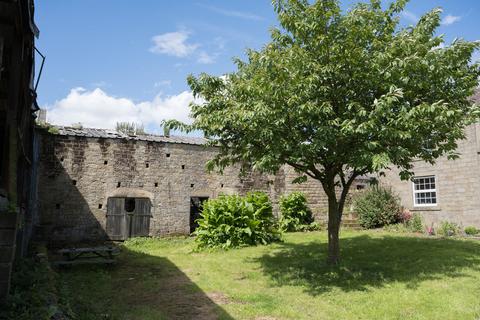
point(97, 109)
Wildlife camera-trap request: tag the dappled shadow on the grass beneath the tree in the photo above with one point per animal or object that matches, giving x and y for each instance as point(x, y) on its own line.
point(370, 262)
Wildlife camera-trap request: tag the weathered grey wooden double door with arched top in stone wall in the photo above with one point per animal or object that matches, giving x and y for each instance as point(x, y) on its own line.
point(128, 217)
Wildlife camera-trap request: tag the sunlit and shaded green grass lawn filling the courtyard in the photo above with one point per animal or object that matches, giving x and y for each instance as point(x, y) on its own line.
point(382, 276)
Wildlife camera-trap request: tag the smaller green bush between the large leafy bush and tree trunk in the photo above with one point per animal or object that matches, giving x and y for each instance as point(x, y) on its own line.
point(295, 214)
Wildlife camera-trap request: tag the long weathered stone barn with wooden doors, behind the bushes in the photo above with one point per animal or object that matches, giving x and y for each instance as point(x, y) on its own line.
point(96, 184)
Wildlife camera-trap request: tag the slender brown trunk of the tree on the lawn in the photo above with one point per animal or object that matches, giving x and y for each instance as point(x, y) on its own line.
point(334, 218)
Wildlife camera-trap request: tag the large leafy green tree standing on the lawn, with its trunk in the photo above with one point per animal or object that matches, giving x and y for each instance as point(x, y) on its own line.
point(340, 94)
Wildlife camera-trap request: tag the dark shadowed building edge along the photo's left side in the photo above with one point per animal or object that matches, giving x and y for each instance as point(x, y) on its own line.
point(17, 157)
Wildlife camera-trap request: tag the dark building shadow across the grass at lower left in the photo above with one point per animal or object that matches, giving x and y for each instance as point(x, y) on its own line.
point(139, 286)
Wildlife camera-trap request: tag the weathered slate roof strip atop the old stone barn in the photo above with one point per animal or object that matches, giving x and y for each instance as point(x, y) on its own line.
point(112, 134)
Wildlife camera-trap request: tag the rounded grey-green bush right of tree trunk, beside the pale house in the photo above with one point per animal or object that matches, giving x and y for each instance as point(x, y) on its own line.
point(377, 207)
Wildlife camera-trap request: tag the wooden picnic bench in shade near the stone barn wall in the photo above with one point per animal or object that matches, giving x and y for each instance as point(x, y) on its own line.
point(92, 255)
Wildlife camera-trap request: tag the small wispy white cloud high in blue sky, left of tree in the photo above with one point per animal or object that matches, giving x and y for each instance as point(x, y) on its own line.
point(173, 44)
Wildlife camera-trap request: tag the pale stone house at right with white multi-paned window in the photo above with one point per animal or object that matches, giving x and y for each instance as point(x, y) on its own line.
point(448, 190)
